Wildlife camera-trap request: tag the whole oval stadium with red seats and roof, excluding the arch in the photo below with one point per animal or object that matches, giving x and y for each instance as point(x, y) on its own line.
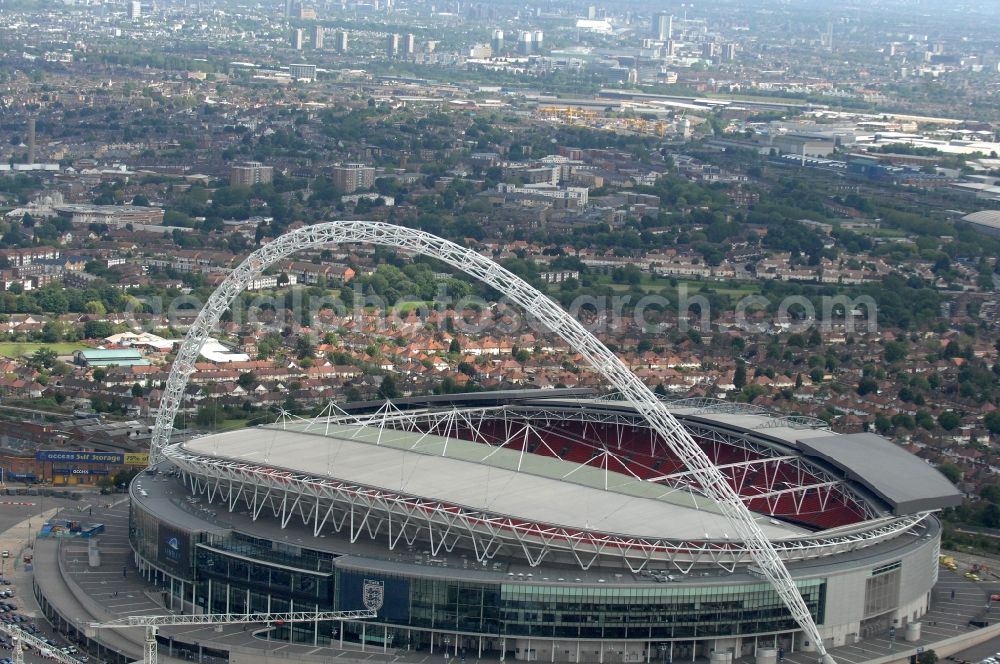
point(549, 526)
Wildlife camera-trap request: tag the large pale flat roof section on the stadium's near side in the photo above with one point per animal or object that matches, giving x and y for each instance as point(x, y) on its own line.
point(498, 480)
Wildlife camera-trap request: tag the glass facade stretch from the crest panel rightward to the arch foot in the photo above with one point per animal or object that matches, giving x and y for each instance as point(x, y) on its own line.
point(548, 611)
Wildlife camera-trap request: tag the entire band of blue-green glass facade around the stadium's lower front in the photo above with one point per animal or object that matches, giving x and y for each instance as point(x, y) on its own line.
point(250, 574)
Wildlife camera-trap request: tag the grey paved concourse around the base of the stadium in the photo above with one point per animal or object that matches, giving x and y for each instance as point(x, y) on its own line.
point(116, 589)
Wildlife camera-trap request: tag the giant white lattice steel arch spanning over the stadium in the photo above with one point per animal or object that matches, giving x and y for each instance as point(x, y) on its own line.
point(534, 302)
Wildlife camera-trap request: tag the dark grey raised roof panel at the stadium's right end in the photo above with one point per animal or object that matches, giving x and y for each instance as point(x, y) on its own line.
point(906, 482)
